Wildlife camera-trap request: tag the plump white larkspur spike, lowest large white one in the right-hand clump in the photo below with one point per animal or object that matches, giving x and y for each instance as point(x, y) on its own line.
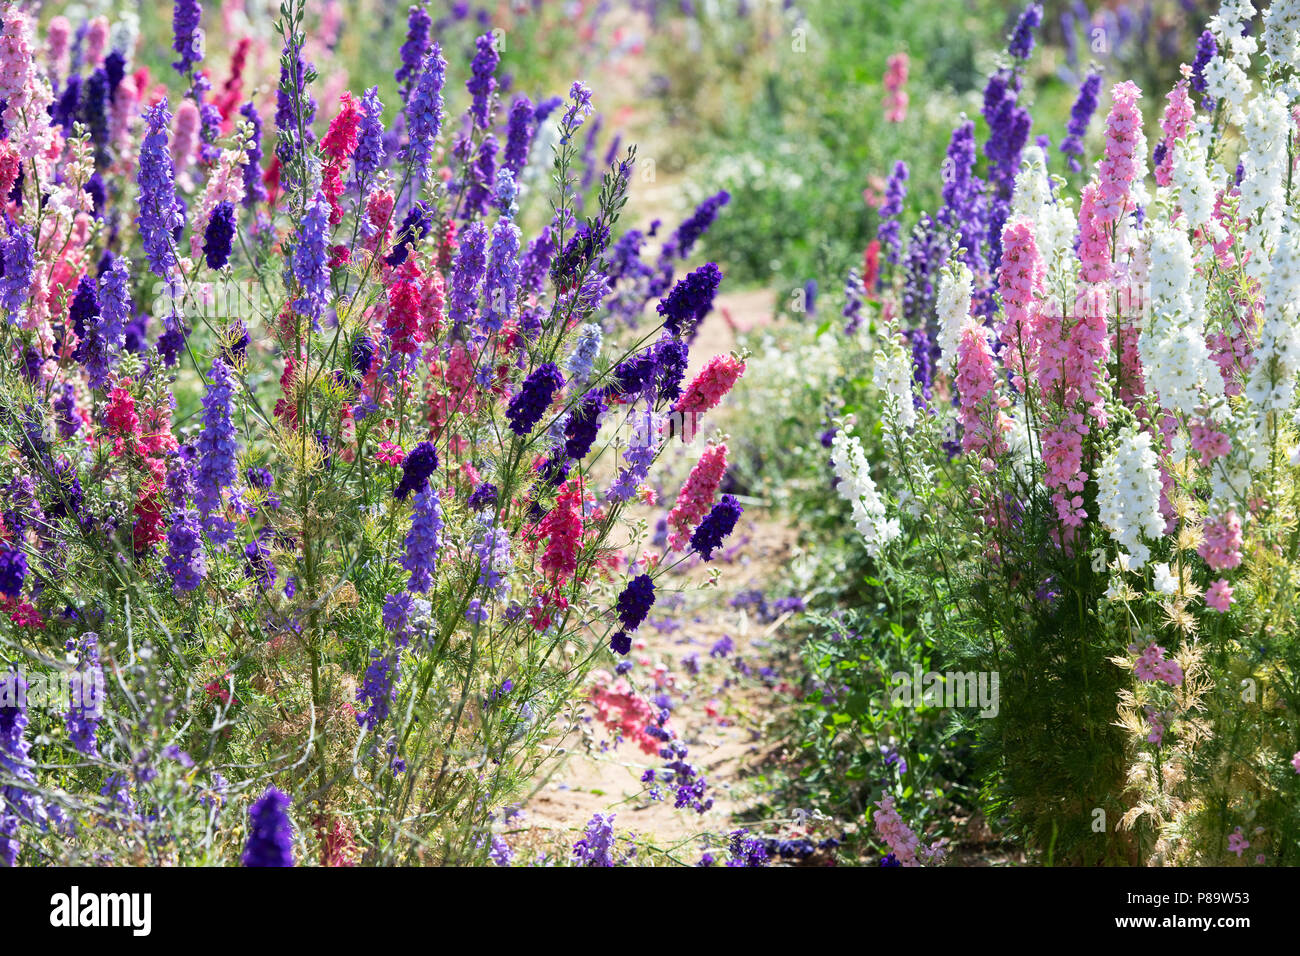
point(1129, 495)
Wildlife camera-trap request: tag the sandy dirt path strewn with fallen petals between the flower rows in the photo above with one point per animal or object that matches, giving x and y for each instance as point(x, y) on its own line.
point(716, 656)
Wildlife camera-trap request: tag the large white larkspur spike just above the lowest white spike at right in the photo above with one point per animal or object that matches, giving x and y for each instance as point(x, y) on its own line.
point(1172, 347)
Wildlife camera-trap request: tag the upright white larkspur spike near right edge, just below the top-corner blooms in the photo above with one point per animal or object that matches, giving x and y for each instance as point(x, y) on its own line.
point(1264, 178)
